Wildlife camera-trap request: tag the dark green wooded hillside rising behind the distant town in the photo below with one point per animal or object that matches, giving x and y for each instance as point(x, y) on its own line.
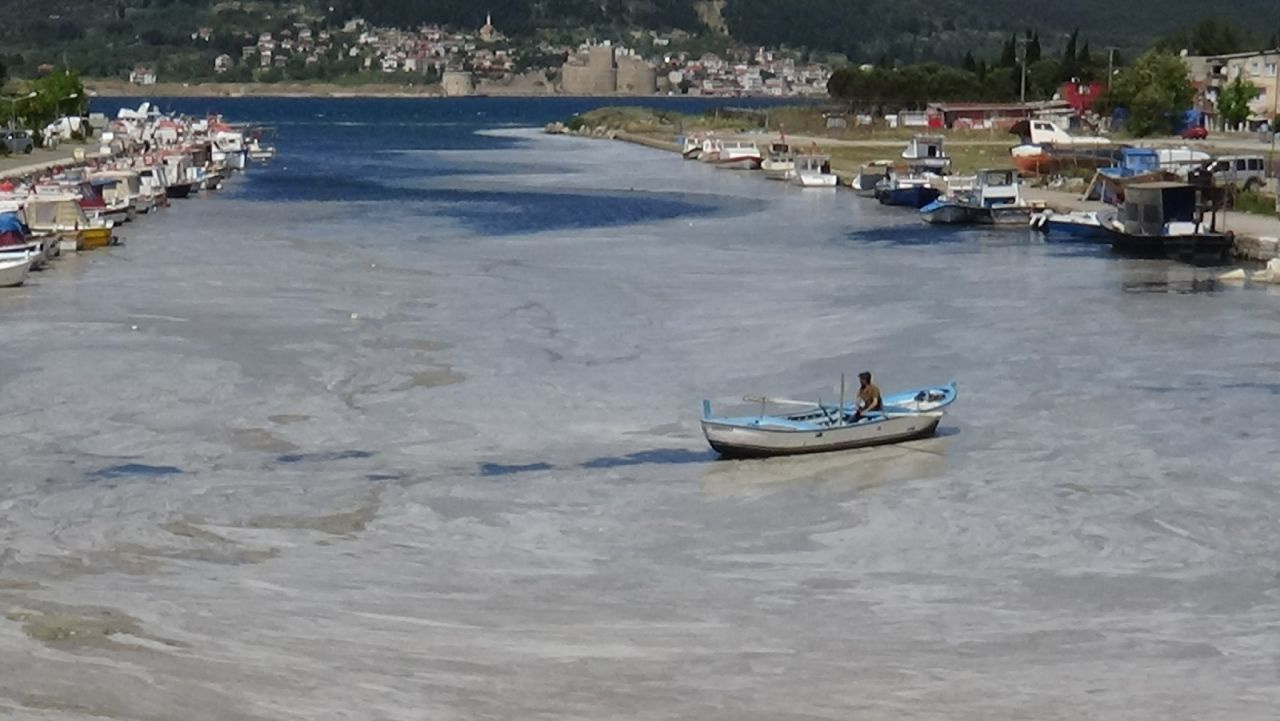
point(106, 38)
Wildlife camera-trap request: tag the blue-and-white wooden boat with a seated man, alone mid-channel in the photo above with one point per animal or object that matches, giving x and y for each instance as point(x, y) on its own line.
point(820, 428)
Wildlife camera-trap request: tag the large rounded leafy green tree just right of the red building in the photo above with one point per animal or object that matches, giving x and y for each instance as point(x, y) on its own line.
point(1155, 90)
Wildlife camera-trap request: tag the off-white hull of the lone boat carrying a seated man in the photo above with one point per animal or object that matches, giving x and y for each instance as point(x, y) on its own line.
point(738, 442)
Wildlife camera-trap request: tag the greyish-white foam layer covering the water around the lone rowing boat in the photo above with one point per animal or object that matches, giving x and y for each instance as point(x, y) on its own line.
point(1092, 535)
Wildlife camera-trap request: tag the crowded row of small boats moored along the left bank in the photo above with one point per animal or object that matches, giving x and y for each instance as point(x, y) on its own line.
point(147, 159)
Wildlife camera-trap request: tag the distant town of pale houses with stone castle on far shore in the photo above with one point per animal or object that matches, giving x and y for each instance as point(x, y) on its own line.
point(487, 61)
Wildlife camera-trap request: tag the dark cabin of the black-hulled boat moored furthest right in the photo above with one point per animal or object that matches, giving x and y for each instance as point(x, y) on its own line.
point(1169, 209)
